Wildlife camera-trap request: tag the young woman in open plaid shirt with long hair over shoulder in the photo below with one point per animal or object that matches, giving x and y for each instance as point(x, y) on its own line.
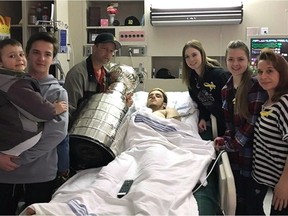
point(242, 102)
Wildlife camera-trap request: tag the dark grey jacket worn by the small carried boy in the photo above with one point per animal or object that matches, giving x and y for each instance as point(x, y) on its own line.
point(22, 109)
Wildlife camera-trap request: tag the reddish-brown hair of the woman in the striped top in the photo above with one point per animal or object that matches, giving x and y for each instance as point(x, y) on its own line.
point(281, 65)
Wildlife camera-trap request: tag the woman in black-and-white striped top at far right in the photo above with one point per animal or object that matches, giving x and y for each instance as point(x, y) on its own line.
point(270, 150)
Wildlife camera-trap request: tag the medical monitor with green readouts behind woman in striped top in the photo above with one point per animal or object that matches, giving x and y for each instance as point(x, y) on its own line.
point(278, 43)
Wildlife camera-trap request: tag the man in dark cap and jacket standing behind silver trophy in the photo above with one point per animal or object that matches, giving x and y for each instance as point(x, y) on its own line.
point(90, 76)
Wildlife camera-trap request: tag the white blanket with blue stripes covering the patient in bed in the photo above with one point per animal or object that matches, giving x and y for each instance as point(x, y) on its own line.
point(164, 159)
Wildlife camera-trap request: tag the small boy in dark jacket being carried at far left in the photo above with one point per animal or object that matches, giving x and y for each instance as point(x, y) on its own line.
point(23, 108)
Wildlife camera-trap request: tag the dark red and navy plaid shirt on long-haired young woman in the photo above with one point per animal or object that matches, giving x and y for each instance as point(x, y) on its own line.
point(238, 138)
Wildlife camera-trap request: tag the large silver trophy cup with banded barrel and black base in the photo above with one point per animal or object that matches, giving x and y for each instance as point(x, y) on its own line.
point(96, 126)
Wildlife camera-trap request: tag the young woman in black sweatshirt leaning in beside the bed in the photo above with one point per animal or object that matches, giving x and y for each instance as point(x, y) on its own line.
point(204, 78)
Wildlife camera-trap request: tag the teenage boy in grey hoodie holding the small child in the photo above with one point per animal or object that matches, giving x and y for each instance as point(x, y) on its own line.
point(31, 177)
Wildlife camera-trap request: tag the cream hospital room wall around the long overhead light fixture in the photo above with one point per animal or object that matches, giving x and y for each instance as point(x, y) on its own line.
point(168, 41)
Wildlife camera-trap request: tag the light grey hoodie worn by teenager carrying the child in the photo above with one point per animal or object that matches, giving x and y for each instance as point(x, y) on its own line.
point(39, 164)
